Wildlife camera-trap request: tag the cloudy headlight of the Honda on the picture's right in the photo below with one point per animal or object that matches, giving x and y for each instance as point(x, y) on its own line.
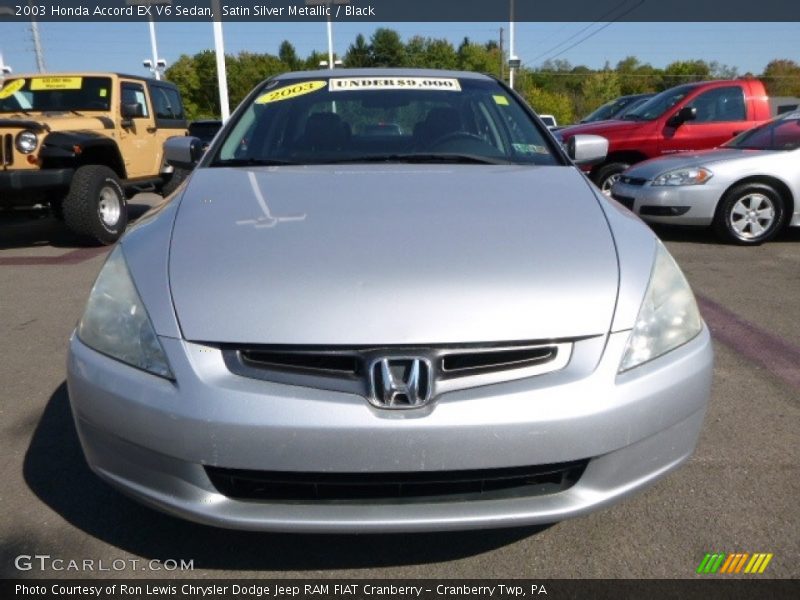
point(668, 316)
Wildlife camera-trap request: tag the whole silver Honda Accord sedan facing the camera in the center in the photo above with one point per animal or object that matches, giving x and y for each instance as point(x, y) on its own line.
point(387, 300)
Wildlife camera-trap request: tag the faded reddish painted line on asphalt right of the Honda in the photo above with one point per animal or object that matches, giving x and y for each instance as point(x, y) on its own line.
point(769, 351)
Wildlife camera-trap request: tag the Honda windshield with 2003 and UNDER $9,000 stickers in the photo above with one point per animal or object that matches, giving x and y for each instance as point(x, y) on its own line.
point(384, 118)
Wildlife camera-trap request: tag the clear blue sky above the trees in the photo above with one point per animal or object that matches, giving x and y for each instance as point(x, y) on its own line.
point(123, 46)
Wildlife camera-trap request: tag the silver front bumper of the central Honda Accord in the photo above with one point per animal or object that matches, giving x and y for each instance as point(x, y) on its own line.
point(152, 438)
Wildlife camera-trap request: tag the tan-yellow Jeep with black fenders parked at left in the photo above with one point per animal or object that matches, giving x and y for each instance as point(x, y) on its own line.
point(80, 143)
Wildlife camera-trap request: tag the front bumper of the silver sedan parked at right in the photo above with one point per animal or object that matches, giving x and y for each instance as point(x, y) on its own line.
point(701, 201)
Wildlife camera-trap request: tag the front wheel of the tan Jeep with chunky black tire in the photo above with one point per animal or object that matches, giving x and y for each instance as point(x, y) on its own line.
point(95, 205)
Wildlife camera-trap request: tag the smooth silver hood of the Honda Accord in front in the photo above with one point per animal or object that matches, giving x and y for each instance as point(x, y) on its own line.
point(396, 254)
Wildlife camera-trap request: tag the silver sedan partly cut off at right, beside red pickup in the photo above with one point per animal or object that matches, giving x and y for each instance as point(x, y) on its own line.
point(747, 190)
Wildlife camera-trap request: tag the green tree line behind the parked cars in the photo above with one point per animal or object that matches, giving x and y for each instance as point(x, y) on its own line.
point(555, 87)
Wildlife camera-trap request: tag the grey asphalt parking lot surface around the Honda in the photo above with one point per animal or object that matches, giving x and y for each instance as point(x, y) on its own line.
point(739, 493)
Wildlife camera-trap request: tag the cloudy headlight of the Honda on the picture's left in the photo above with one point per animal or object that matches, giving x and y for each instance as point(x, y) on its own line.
point(115, 321)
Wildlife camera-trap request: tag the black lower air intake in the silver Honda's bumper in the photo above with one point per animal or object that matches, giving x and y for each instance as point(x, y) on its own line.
point(422, 486)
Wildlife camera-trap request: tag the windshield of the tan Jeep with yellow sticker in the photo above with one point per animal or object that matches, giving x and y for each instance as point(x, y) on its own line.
point(55, 94)
